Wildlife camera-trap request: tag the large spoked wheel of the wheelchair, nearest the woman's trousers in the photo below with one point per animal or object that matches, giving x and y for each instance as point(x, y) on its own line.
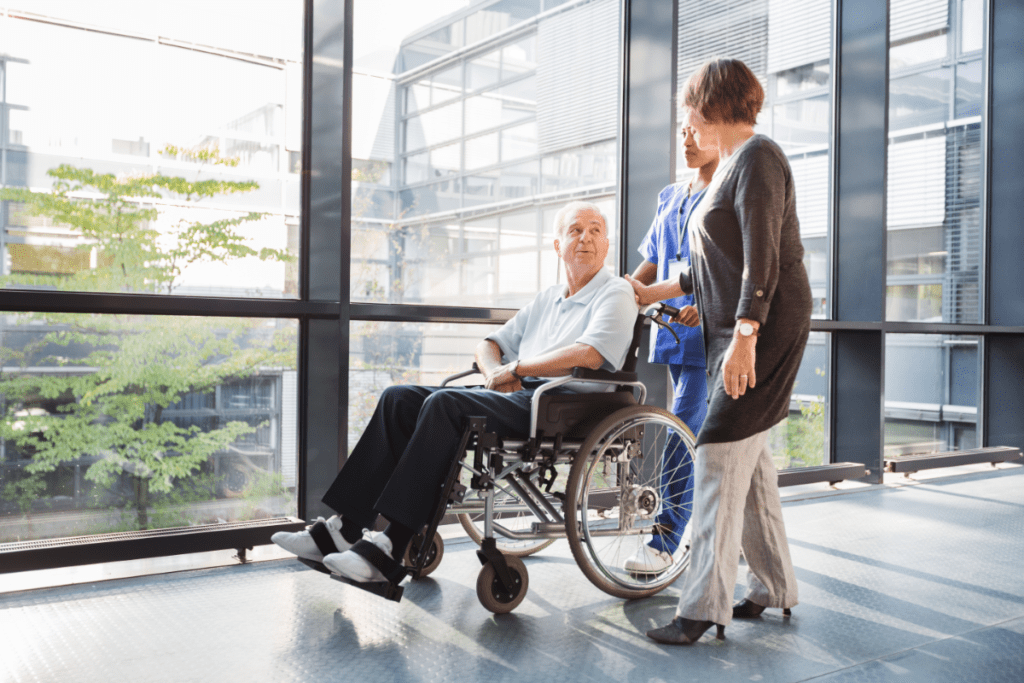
point(632, 479)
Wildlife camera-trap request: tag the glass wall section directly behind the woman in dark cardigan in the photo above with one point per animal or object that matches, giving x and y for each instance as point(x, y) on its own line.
point(789, 47)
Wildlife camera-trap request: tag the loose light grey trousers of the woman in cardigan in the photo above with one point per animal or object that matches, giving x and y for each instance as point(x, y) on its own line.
point(737, 505)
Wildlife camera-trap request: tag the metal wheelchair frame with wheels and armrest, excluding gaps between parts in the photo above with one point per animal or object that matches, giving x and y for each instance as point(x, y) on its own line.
point(503, 581)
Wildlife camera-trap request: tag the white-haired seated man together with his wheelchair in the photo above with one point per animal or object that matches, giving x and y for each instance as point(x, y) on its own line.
point(554, 402)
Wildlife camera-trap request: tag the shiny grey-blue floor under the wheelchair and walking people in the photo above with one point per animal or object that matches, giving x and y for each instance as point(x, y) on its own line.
point(920, 583)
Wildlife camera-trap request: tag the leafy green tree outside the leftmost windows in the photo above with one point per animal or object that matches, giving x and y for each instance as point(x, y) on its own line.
point(143, 366)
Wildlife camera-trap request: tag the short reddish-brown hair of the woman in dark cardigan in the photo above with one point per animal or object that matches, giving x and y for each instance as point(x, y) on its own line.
point(724, 91)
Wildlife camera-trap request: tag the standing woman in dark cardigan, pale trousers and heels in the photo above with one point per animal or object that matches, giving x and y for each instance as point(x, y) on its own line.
point(754, 301)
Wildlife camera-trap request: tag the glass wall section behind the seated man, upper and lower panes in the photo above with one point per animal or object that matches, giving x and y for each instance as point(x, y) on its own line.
point(474, 123)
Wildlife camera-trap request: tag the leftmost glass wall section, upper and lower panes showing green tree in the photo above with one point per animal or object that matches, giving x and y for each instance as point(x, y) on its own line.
point(150, 151)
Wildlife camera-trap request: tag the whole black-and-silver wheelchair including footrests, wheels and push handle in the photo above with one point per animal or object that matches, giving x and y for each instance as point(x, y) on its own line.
point(623, 464)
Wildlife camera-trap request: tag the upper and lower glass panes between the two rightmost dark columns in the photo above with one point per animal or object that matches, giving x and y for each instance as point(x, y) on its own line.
point(934, 198)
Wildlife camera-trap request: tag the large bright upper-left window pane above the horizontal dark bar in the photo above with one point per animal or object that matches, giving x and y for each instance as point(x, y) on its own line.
point(188, 115)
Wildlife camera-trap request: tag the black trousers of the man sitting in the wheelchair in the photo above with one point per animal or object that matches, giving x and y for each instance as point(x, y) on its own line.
point(399, 466)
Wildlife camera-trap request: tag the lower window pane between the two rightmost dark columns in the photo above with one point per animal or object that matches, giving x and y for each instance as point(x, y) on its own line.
point(931, 394)
